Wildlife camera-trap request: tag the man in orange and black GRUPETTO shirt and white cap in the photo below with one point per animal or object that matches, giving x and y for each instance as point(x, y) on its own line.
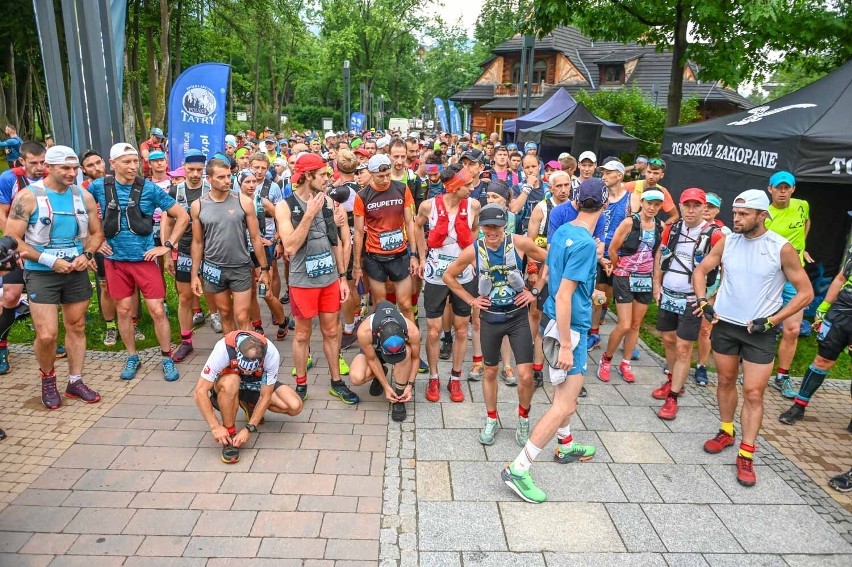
point(384, 211)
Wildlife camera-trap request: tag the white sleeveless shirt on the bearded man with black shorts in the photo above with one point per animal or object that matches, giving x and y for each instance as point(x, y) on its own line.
point(752, 278)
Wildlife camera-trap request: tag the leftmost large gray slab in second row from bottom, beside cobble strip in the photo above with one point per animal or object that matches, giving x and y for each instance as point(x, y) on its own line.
point(460, 526)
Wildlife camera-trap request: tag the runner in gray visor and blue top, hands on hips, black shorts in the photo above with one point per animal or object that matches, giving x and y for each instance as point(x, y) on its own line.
point(502, 300)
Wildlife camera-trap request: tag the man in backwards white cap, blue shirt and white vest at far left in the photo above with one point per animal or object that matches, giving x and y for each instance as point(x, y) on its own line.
point(51, 220)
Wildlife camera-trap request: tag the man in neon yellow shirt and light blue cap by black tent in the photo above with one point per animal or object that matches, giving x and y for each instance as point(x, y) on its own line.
point(790, 218)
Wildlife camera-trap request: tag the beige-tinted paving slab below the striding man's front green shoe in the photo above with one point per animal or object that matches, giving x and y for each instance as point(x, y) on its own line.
point(589, 524)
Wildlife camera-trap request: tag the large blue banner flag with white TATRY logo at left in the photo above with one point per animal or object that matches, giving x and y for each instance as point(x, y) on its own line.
point(197, 111)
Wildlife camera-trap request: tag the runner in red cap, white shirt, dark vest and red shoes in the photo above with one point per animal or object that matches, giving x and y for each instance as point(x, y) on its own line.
point(684, 245)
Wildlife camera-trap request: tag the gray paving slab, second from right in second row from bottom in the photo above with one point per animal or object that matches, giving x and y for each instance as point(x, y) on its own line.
point(690, 528)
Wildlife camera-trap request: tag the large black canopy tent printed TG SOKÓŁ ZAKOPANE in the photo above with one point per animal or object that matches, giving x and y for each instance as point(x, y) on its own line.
point(807, 132)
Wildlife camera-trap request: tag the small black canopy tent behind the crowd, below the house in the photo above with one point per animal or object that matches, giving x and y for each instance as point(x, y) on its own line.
point(559, 133)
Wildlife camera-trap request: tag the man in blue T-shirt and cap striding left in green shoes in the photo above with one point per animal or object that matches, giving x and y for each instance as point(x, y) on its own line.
point(572, 262)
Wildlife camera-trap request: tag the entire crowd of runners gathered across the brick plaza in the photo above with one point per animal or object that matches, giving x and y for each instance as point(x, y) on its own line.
point(523, 257)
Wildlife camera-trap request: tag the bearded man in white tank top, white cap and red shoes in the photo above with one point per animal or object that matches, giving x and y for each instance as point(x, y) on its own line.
point(757, 263)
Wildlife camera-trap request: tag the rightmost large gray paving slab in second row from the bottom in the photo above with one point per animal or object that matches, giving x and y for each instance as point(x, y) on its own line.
point(768, 529)
